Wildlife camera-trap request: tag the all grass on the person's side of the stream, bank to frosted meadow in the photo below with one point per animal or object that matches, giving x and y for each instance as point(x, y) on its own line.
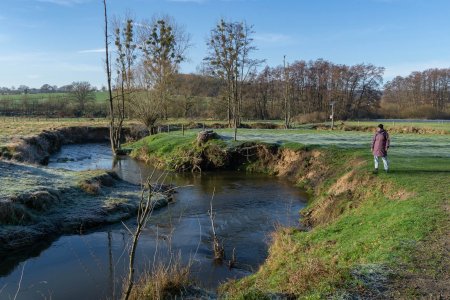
point(389, 233)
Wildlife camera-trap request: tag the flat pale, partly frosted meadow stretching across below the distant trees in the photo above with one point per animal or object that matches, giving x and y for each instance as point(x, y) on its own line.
point(433, 145)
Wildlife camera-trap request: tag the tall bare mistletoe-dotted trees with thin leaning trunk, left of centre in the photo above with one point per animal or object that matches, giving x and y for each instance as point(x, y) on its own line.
point(141, 69)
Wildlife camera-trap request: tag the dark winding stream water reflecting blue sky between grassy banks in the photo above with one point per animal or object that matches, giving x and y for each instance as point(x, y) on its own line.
point(93, 265)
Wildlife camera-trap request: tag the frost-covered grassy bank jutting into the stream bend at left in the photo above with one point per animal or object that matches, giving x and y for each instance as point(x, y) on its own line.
point(38, 203)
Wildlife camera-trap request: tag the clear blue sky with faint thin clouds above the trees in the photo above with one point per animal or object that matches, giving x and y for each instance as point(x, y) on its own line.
point(59, 41)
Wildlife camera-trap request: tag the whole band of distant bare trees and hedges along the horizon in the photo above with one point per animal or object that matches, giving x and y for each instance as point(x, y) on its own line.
point(357, 92)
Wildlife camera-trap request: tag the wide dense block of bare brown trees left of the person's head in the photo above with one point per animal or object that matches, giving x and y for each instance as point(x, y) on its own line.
point(306, 88)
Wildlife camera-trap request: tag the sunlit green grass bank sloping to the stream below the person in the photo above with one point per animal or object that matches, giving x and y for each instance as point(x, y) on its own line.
point(379, 232)
